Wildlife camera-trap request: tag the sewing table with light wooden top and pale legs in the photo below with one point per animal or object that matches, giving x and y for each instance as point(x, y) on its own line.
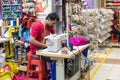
point(59, 57)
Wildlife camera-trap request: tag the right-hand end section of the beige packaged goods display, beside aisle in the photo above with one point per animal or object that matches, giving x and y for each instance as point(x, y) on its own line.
point(105, 24)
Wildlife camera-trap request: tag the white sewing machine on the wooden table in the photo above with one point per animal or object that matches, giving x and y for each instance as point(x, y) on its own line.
point(54, 41)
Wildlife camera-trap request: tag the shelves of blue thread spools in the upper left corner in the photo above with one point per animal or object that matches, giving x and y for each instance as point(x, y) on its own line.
point(11, 12)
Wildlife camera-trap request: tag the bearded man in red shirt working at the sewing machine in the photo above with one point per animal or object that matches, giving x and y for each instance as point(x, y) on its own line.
point(38, 31)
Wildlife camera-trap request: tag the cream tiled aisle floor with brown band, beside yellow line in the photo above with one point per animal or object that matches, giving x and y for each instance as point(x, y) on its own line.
point(110, 69)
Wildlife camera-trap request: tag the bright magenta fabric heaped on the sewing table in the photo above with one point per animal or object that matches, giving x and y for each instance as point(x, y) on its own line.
point(78, 41)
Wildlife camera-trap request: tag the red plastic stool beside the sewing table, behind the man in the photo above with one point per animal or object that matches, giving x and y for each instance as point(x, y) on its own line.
point(35, 66)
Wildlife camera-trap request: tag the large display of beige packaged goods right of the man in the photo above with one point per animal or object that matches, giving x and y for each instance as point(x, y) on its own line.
point(94, 24)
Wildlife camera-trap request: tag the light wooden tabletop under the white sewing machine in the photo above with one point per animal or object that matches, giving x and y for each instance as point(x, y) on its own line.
point(76, 50)
